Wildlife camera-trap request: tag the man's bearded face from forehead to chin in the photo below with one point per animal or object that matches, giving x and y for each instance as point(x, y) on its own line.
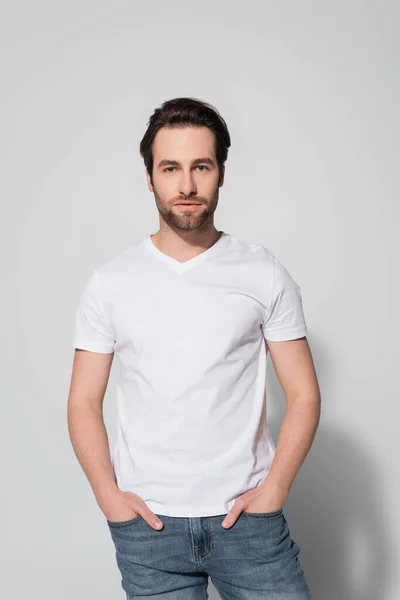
point(185, 170)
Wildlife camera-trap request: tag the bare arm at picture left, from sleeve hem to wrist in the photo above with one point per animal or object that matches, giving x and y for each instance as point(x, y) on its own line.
point(90, 374)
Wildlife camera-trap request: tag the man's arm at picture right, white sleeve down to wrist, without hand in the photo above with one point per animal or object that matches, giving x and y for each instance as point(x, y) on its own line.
point(285, 334)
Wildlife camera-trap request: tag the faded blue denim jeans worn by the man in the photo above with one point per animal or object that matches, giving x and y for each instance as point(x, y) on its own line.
point(254, 559)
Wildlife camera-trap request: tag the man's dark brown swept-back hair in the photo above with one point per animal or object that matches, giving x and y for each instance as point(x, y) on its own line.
point(184, 112)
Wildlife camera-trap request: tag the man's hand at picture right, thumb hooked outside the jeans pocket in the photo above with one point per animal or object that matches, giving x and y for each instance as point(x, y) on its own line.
point(261, 499)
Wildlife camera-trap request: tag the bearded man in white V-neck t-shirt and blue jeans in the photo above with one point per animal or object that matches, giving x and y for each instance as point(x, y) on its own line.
point(195, 486)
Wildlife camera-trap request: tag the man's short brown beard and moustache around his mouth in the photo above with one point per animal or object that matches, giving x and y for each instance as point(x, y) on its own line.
point(188, 220)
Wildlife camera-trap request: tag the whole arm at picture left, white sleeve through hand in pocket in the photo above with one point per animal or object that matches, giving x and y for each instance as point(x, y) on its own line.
point(94, 343)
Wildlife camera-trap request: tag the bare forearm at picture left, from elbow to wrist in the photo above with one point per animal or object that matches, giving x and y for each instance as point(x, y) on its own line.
point(89, 439)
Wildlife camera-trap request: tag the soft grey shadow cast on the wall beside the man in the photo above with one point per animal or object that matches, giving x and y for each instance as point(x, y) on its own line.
point(336, 514)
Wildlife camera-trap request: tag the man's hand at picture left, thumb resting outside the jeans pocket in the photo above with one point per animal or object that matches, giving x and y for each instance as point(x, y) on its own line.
point(123, 506)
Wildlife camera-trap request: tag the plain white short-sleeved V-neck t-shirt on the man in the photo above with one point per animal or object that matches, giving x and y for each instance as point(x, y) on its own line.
point(192, 432)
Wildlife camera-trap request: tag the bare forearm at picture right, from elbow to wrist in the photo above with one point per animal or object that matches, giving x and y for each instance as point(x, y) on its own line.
point(295, 439)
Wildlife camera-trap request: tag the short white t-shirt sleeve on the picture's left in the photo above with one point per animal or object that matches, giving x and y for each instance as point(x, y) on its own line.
point(91, 329)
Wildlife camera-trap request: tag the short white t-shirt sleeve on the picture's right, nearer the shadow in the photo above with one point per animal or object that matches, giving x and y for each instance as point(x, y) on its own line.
point(284, 319)
